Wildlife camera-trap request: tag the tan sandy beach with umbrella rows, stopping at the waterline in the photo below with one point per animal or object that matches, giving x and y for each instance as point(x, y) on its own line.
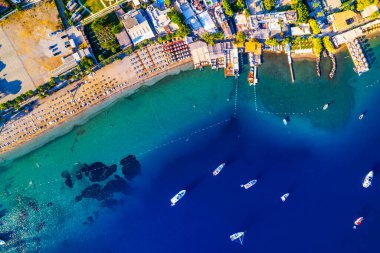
point(76, 98)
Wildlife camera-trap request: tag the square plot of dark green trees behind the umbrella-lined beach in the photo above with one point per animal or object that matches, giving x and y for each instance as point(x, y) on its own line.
point(101, 34)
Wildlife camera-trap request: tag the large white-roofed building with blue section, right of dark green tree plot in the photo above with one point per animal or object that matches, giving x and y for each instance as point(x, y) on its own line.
point(137, 26)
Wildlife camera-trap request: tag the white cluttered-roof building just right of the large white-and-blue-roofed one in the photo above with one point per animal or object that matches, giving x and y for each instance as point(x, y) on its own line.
point(161, 22)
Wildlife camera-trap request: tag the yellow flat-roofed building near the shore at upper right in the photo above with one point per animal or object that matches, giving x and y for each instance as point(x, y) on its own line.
point(342, 21)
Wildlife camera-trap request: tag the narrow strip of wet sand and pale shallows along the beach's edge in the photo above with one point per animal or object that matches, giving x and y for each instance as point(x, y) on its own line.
point(44, 137)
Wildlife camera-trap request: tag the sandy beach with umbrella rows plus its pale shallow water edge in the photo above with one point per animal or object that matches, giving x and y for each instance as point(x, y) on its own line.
point(76, 104)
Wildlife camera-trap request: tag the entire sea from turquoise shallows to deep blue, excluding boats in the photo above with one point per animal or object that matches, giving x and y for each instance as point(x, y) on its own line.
point(180, 130)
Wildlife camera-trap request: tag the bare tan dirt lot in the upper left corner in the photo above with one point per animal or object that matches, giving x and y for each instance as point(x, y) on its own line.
point(28, 33)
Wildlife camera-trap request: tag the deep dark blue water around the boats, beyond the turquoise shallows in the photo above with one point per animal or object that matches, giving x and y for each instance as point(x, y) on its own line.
point(322, 172)
